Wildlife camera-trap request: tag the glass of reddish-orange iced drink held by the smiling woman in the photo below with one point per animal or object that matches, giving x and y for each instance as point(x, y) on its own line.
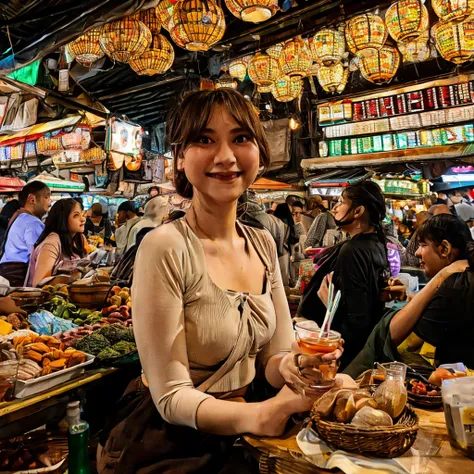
point(313, 342)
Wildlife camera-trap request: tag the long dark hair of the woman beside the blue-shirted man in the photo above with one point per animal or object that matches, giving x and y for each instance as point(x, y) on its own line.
point(57, 221)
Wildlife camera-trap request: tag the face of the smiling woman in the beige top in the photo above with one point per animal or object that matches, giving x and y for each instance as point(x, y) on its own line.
point(223, 162)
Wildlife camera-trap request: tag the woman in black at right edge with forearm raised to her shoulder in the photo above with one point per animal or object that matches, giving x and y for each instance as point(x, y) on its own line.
point(442, 313)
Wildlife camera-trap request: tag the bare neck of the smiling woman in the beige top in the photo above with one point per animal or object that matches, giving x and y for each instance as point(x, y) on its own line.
point(215, 220)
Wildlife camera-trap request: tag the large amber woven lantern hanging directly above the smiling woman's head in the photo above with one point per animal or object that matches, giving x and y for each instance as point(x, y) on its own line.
point(202, 21)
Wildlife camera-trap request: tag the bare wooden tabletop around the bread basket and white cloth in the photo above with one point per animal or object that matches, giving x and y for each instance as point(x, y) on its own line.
point(435, 455)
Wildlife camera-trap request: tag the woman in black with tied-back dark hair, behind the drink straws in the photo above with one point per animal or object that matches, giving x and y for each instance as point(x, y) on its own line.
point(360, 268)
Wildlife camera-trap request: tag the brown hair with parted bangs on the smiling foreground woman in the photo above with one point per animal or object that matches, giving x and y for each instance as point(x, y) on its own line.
point(187, 122)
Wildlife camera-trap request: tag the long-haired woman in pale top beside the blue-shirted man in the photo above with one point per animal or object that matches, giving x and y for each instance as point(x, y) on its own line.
point(62, 239)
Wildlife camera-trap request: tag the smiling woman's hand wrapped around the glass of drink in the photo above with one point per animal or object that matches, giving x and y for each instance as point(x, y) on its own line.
point(299, 370)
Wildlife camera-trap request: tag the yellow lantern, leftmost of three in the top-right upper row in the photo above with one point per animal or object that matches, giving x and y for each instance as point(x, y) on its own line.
point(365, 32)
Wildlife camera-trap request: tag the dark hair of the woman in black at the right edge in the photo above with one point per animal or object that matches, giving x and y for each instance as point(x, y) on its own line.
point(450, 228)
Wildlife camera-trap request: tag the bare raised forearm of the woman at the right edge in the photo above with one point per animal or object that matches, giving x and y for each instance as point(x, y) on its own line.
point(404, 320)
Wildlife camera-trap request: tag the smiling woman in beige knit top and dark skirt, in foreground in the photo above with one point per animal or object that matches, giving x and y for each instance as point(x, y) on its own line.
point(204, 332)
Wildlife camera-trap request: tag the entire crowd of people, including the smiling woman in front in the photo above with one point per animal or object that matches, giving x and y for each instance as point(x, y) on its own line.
point(226, 337)
